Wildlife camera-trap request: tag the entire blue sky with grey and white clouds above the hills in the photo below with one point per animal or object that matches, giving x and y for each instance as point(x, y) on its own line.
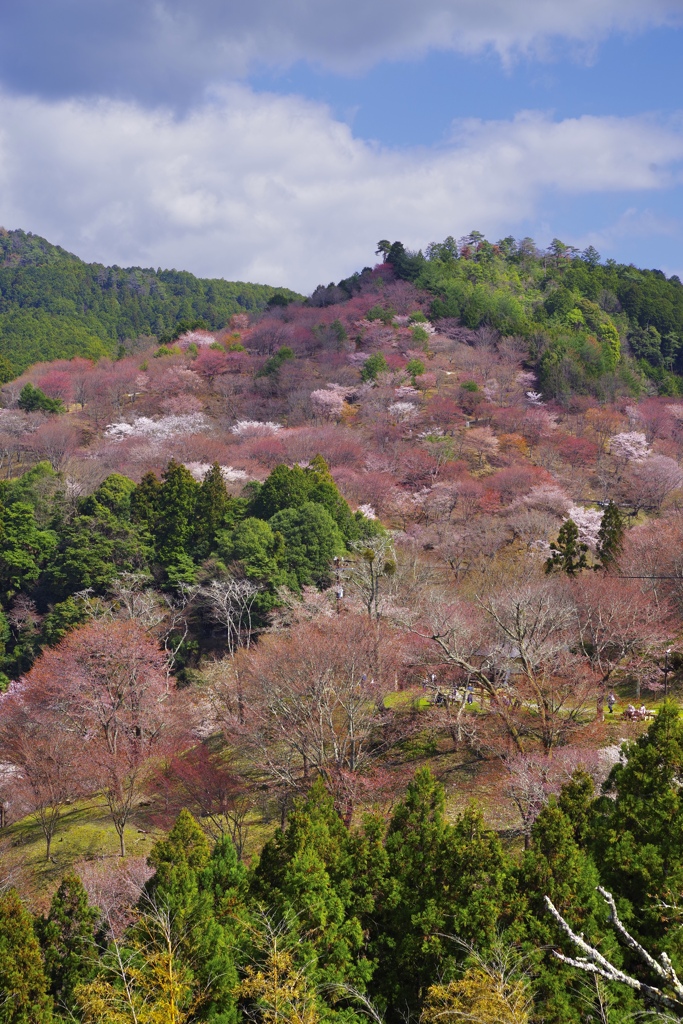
point(278, 141)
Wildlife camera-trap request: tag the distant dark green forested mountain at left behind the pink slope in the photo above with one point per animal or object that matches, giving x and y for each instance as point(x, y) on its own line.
point(54, 306)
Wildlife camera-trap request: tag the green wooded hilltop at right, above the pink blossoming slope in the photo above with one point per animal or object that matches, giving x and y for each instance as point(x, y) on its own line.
point(579, 316)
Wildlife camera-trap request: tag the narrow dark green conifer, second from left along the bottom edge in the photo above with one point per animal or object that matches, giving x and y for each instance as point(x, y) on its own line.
point(68, 941)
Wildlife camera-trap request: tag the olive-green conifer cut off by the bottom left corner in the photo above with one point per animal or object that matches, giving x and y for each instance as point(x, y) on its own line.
point(24, 996)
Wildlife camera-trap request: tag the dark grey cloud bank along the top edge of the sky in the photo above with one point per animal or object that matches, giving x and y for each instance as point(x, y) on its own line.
point(168, 48)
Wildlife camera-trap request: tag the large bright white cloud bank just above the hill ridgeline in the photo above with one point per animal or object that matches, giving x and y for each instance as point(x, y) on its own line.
point(273, 189)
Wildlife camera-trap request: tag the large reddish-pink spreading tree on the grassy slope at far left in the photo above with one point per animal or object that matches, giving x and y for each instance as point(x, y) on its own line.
point(107, 681)
